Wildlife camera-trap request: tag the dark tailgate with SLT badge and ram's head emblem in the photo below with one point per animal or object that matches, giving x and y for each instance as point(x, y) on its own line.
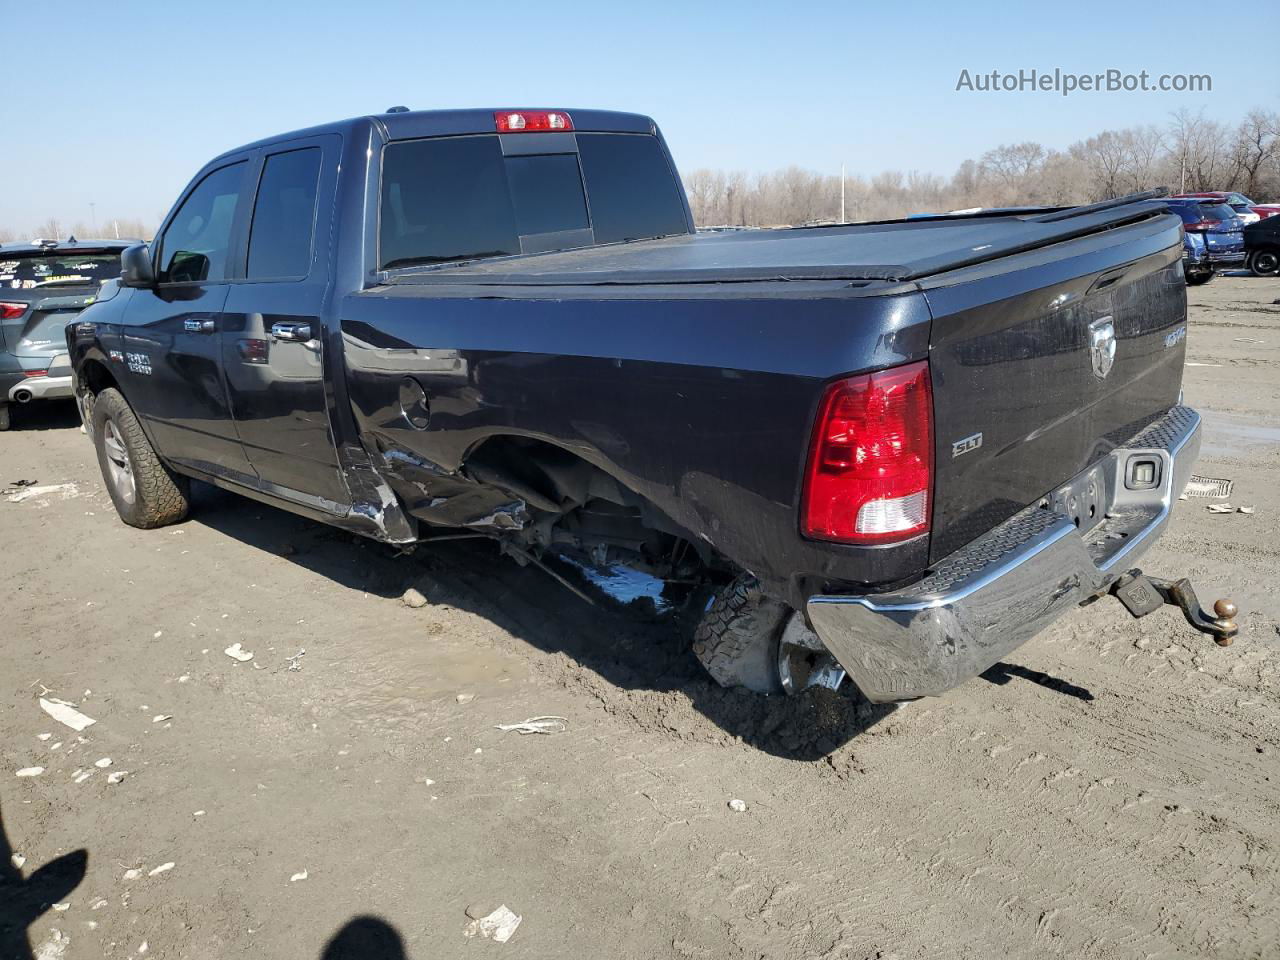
point(1044, 363)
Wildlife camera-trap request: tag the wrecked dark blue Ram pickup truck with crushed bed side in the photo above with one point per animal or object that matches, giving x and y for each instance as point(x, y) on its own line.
point(893, 450)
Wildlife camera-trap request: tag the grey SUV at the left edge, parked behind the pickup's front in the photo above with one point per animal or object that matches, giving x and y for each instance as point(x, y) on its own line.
point(43, 286)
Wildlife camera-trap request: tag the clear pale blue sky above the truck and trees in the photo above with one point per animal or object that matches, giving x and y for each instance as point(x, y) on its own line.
point(120, 104)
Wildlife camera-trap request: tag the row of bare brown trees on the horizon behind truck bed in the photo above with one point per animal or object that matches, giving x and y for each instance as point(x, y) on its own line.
point(1191, 153)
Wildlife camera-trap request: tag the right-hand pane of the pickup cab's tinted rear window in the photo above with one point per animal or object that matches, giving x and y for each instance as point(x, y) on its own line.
point(632, 188)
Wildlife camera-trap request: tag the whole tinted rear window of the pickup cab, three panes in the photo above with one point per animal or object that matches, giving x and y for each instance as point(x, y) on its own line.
point(461, 199)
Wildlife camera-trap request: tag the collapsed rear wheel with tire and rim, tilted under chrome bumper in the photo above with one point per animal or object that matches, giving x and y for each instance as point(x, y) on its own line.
point(743, 642)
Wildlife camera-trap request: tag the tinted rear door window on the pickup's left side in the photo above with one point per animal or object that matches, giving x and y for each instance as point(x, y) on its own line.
point(285, 216)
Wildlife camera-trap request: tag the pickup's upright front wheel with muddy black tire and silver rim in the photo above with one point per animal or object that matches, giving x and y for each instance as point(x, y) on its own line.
point(158, 497)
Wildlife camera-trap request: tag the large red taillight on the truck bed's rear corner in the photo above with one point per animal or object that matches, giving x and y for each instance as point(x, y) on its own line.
point(871, 464)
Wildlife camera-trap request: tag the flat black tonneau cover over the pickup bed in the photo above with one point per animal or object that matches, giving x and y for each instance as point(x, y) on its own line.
point(897, 250)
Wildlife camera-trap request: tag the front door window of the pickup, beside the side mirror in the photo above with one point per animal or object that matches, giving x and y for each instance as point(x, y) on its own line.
point(196, 245)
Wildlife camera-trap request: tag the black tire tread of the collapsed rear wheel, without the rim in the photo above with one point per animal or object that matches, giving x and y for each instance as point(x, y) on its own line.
point(738, 638)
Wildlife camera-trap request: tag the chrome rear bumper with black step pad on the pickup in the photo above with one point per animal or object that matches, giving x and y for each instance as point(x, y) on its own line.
point(995, 595)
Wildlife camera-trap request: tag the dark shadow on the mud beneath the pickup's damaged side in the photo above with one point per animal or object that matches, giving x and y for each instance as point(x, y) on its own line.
point(621, 653)
